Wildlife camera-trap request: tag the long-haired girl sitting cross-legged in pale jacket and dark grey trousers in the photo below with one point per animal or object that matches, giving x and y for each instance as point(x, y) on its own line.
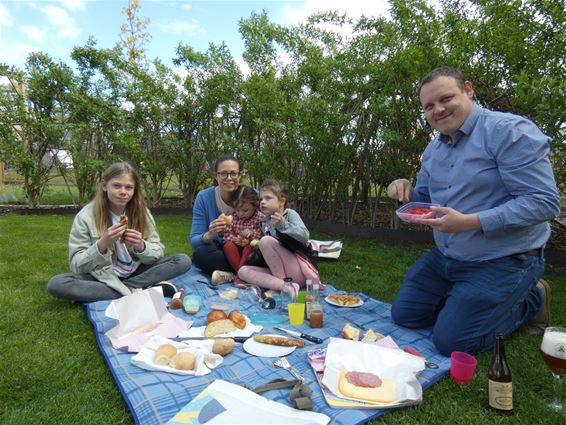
point(109, 256)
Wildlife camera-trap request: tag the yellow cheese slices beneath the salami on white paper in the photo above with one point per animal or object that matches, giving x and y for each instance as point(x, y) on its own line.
point(367, 386)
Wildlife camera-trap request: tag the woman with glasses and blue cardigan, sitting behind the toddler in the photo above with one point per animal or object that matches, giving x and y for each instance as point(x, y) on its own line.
point(208, 226)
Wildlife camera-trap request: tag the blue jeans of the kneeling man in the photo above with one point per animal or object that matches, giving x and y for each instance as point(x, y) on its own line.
point(468, 302)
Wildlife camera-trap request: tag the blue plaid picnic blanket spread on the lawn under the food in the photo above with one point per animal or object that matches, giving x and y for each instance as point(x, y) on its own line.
point(155, 397)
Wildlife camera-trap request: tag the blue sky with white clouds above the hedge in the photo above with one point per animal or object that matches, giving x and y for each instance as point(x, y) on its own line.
point(56, 26)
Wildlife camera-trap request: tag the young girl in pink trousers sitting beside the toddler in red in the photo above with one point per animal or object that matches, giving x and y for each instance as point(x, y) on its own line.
point(282, 246)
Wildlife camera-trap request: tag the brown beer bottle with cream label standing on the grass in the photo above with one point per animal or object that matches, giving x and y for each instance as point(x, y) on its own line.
point(499, 379)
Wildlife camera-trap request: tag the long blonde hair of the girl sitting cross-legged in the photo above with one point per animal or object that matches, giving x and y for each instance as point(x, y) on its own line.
point(135, 209)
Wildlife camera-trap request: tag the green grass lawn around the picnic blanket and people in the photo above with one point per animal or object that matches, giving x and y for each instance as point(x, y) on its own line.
point(51, 371)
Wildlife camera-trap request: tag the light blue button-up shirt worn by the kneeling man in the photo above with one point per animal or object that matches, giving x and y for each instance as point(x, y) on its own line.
point(498, 167)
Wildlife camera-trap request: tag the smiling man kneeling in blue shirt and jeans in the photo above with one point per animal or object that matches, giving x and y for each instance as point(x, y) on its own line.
point(490, 174)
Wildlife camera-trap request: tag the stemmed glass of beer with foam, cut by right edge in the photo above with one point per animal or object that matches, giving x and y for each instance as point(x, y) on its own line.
point(553, 352)
